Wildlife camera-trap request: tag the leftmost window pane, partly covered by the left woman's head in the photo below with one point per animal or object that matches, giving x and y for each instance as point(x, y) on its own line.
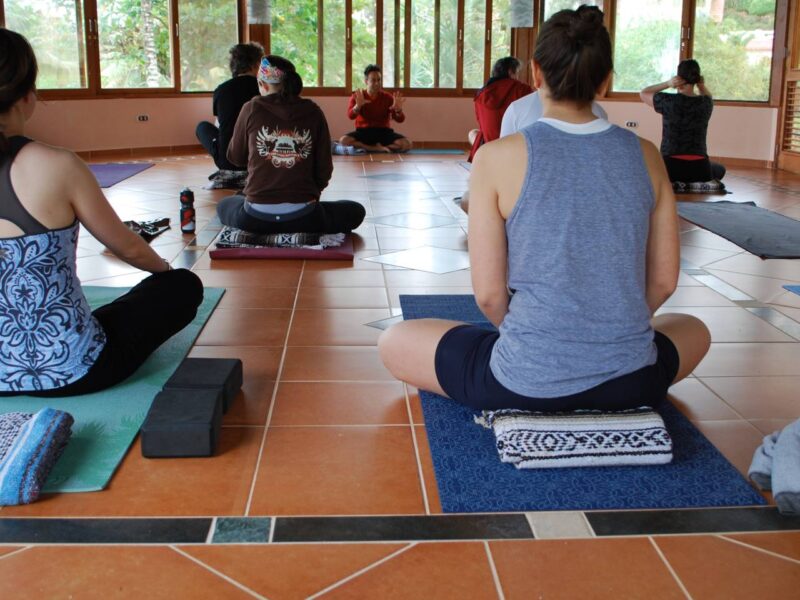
point(55, 30)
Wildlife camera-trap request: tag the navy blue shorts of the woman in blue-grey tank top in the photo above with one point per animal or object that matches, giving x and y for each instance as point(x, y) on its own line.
point(462, 368)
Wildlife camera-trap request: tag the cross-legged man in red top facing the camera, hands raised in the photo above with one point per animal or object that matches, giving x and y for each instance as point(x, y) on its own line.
point(373, 109)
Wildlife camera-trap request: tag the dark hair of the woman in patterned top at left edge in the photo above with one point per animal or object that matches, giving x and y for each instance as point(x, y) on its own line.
point(18, 71)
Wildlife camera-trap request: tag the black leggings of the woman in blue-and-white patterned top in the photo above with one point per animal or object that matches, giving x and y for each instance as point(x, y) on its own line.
point(136, 324)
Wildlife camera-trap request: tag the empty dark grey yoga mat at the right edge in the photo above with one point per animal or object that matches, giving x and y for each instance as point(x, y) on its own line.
point(757, 230)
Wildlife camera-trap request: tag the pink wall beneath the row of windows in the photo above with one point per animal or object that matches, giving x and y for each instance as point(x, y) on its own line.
point(745, 132)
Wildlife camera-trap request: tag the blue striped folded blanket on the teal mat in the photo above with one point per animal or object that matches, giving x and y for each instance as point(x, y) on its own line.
point(30, 444)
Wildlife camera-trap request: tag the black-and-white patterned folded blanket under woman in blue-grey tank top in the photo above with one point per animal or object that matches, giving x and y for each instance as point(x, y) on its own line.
point(531, 440)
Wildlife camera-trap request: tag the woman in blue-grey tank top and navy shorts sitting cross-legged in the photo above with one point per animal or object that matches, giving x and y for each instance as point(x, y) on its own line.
point(573, 247)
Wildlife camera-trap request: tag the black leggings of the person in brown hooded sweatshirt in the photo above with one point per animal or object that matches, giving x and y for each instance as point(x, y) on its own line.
point(341, 216)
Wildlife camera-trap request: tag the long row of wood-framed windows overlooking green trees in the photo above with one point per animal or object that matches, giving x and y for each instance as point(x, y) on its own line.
point(88, 47)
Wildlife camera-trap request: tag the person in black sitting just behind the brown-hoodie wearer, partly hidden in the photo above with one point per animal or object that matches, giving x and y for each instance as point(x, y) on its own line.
point(229, 97)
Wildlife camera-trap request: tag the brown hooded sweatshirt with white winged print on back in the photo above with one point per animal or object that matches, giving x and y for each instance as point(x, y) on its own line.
point(286, 146)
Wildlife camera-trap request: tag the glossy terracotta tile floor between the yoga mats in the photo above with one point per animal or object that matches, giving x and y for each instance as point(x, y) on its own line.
point(321, 428)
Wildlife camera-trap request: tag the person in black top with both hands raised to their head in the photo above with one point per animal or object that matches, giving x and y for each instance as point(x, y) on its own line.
point(685, 117)
